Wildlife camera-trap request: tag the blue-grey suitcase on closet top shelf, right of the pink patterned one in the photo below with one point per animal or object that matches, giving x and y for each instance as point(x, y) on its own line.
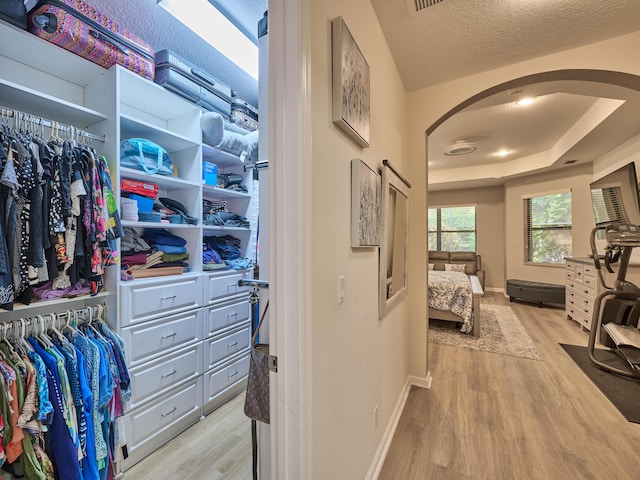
point(191, 82)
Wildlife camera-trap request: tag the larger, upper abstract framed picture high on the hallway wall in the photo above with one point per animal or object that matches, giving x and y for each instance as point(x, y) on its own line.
point(351, 96)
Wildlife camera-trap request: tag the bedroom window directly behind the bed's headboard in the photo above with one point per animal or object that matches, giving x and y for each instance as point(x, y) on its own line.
point(452, 229)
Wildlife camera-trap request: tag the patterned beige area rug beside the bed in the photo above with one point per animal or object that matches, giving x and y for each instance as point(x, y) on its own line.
point(500, 332)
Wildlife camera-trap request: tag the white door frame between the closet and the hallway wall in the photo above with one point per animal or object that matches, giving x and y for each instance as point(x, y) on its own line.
point(289, 119)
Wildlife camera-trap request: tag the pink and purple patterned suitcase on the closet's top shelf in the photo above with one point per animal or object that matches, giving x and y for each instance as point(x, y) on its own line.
point(85, 31)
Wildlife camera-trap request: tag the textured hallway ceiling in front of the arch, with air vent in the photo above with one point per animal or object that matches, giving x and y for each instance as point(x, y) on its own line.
point(456, 38)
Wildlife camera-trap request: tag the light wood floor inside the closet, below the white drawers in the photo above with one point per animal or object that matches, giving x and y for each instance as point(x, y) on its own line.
point(216, 448)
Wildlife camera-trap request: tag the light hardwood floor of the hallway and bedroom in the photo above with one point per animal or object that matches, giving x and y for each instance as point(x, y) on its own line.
point(496, 417)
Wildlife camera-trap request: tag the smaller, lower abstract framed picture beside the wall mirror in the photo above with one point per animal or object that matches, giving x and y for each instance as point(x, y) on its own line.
point(366, 197)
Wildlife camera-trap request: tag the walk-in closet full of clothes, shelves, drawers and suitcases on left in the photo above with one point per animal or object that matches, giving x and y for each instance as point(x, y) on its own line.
point(133, 264)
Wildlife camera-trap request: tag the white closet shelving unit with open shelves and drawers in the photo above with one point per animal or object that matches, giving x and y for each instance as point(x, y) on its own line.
point(187, 336)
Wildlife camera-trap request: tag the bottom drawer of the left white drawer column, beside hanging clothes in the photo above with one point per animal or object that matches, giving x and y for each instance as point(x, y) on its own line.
point(161, 419)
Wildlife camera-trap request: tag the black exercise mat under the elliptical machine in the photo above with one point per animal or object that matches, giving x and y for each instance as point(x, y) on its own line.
point(623, 392)
